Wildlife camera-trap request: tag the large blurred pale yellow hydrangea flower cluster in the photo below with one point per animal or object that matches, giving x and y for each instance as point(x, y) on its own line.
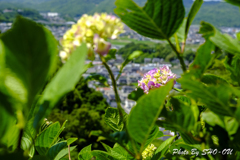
point(94, 31)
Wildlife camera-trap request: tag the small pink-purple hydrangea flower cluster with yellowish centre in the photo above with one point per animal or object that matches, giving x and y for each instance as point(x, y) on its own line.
point(156, 78)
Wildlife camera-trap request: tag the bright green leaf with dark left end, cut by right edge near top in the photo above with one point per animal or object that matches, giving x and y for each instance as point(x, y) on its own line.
point(223, 41)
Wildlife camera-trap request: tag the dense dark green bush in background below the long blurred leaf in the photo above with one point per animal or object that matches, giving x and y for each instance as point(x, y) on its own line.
point(84, 108)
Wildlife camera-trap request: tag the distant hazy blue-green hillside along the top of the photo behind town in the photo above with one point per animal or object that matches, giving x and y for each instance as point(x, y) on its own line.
point(217, 13)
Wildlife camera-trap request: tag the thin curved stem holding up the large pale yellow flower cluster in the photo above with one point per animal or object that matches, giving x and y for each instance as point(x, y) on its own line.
point(114, 86)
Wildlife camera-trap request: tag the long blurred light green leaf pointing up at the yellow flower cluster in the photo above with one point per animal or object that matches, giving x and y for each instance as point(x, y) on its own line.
point(61, 83)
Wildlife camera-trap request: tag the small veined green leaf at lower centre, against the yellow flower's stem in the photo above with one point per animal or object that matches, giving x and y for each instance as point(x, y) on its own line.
point(113, 119)
